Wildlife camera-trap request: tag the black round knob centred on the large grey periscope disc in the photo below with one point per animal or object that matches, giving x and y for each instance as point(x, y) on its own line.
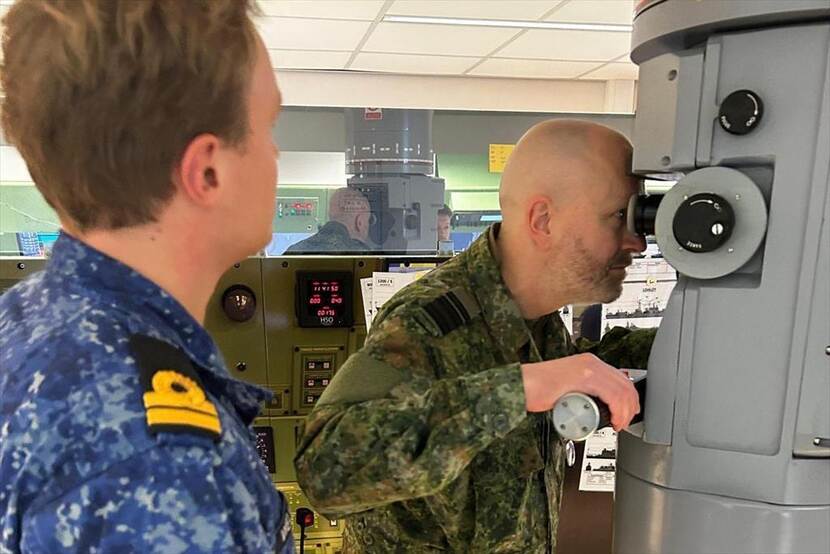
point(703, 222)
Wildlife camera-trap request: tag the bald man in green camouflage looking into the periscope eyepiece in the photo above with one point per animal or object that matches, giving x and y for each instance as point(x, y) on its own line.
point(436, 436)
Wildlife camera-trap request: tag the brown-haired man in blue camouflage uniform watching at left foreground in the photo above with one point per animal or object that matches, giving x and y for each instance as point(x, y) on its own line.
point(120, 427)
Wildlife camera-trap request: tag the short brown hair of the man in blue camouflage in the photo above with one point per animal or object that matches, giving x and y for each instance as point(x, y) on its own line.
point(102, 97)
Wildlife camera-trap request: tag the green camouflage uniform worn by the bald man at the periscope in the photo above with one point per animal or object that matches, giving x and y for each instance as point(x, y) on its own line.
point(423, 439)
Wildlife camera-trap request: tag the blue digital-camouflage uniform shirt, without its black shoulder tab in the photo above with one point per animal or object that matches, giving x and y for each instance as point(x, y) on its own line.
point(79, 471)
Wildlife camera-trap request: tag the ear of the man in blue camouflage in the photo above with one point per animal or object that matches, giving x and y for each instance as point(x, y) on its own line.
point(197, 176)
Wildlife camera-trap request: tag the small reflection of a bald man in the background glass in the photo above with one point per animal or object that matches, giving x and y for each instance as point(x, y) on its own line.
point(347, 230)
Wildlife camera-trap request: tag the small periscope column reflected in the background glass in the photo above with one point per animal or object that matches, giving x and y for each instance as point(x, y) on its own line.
point(389, 155)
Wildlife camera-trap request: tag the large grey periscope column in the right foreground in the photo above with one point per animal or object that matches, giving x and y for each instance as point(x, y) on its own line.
point(733, 455)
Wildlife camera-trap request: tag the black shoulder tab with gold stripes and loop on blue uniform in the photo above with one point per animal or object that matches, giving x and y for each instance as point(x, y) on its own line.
point(174, 397)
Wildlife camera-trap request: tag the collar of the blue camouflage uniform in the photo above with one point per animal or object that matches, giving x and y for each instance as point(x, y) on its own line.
point(73, 260)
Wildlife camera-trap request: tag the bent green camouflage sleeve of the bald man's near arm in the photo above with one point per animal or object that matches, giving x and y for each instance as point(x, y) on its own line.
point(387, 429)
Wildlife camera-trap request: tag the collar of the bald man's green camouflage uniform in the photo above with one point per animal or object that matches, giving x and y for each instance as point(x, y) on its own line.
point(499, 310)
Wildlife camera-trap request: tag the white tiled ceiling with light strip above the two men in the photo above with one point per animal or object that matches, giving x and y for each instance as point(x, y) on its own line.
point(351, 35)
